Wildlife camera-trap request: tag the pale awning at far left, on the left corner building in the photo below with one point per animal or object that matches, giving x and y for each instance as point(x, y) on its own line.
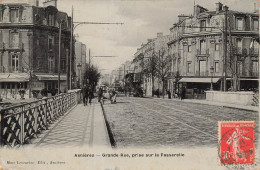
point(14, 77)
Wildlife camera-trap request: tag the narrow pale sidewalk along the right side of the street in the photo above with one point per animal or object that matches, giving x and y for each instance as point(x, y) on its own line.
point(250, 108)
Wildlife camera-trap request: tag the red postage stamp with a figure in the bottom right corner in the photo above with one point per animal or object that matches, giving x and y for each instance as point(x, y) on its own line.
point(236, 143)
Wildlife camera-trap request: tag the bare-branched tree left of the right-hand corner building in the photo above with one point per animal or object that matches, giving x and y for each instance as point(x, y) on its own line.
point(163, 66)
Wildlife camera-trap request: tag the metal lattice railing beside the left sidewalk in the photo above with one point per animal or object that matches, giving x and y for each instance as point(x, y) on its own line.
point(21, 123)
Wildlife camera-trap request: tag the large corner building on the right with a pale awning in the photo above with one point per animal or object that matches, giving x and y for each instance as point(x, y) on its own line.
point(197, 48)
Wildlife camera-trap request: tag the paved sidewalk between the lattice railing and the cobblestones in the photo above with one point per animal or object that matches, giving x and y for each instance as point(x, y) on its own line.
point(81, 126)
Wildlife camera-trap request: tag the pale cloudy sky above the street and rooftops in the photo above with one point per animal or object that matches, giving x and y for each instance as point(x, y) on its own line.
point(142, 20)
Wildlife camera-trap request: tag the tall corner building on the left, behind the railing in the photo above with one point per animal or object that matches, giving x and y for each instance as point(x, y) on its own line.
point(29, 48)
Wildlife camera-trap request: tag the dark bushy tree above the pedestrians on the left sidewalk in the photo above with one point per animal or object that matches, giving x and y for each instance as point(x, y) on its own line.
point(91, 76)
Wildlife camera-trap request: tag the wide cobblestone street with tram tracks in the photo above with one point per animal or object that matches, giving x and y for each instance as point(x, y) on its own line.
point(143, 122)
